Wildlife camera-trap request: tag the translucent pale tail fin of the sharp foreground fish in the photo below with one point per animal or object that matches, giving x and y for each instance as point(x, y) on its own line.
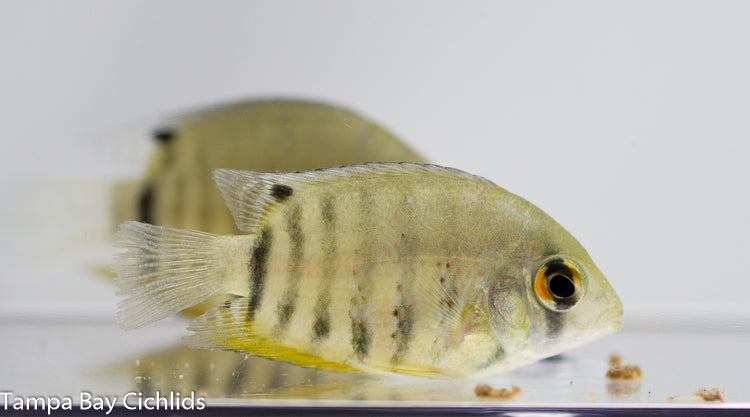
point(166, 270)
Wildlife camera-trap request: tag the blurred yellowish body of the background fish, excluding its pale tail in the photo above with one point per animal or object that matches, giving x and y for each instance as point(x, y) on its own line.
point(264, 135)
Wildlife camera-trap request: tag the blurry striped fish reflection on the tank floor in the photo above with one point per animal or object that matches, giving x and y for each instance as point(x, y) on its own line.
point(217, 374)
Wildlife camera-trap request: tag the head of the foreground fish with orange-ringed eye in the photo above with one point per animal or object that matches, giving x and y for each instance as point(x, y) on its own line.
point(550, 301)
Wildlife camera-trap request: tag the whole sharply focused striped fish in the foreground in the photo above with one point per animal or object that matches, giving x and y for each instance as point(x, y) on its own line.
point(408, 268)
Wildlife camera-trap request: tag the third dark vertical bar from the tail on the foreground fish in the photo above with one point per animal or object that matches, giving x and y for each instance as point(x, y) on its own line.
point(322, 320)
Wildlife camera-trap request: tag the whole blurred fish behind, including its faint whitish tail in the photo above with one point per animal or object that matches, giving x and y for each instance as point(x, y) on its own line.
point(165, 179)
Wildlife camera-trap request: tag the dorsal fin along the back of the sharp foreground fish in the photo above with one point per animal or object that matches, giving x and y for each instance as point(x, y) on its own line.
point(251, 196)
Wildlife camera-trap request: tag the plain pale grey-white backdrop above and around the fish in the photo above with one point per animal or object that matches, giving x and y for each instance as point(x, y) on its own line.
point(628, 122)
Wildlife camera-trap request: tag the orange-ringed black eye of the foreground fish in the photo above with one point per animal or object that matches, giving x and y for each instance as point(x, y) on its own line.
point(559, 284)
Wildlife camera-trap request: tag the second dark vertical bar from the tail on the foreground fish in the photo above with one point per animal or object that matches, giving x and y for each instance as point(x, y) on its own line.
point(286, 308)
